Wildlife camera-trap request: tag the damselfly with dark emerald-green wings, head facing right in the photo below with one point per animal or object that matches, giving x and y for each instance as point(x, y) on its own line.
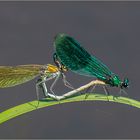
point(73, 56)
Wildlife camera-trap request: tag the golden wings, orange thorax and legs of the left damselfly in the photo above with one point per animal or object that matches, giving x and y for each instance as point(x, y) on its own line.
point(15, 75)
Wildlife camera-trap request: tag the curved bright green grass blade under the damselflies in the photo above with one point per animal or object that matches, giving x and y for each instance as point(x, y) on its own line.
point(30, 106)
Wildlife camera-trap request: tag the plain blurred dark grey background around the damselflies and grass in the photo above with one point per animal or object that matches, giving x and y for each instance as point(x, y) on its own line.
point(109, 30)
